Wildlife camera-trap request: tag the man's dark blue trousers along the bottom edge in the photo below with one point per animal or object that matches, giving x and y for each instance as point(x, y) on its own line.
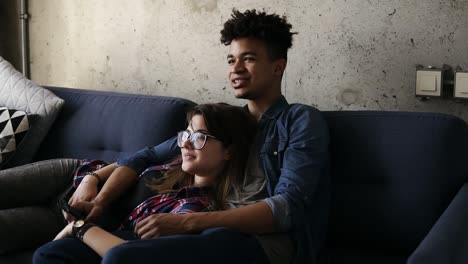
point(215, 245)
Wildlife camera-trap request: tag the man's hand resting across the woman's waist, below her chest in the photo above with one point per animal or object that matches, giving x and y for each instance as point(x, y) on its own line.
point(163, 225)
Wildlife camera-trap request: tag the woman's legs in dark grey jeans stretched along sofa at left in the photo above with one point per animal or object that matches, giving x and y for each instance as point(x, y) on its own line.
point(29, 215)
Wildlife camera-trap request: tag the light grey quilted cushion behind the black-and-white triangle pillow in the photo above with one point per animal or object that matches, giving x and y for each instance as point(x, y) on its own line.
point(17, 92)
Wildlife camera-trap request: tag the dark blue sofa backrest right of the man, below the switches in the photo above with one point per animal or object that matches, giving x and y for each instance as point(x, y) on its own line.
point(393, 175)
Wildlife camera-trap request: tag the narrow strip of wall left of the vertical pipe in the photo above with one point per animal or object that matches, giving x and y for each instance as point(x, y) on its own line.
point(10, 32)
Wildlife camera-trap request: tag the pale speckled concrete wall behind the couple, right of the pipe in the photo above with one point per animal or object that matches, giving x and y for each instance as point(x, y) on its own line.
point(349, 54)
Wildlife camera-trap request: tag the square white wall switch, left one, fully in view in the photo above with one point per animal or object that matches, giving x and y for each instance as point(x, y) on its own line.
point(429, 82)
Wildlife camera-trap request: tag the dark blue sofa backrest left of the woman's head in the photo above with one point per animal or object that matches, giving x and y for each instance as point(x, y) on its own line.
point(108, 125)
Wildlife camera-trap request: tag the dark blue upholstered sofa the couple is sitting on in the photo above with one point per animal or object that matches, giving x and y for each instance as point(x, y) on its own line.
point(399, 179)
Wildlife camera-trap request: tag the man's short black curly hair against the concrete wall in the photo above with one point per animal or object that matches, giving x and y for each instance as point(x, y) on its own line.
point(273, 30)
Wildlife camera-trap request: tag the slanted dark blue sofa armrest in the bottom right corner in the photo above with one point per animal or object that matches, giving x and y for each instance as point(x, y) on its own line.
point(447, 241)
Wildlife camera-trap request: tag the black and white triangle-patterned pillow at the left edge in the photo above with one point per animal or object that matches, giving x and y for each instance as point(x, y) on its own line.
point(14, 125)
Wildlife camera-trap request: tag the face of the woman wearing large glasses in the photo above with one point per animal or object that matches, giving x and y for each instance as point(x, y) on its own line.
point(206, 163)
